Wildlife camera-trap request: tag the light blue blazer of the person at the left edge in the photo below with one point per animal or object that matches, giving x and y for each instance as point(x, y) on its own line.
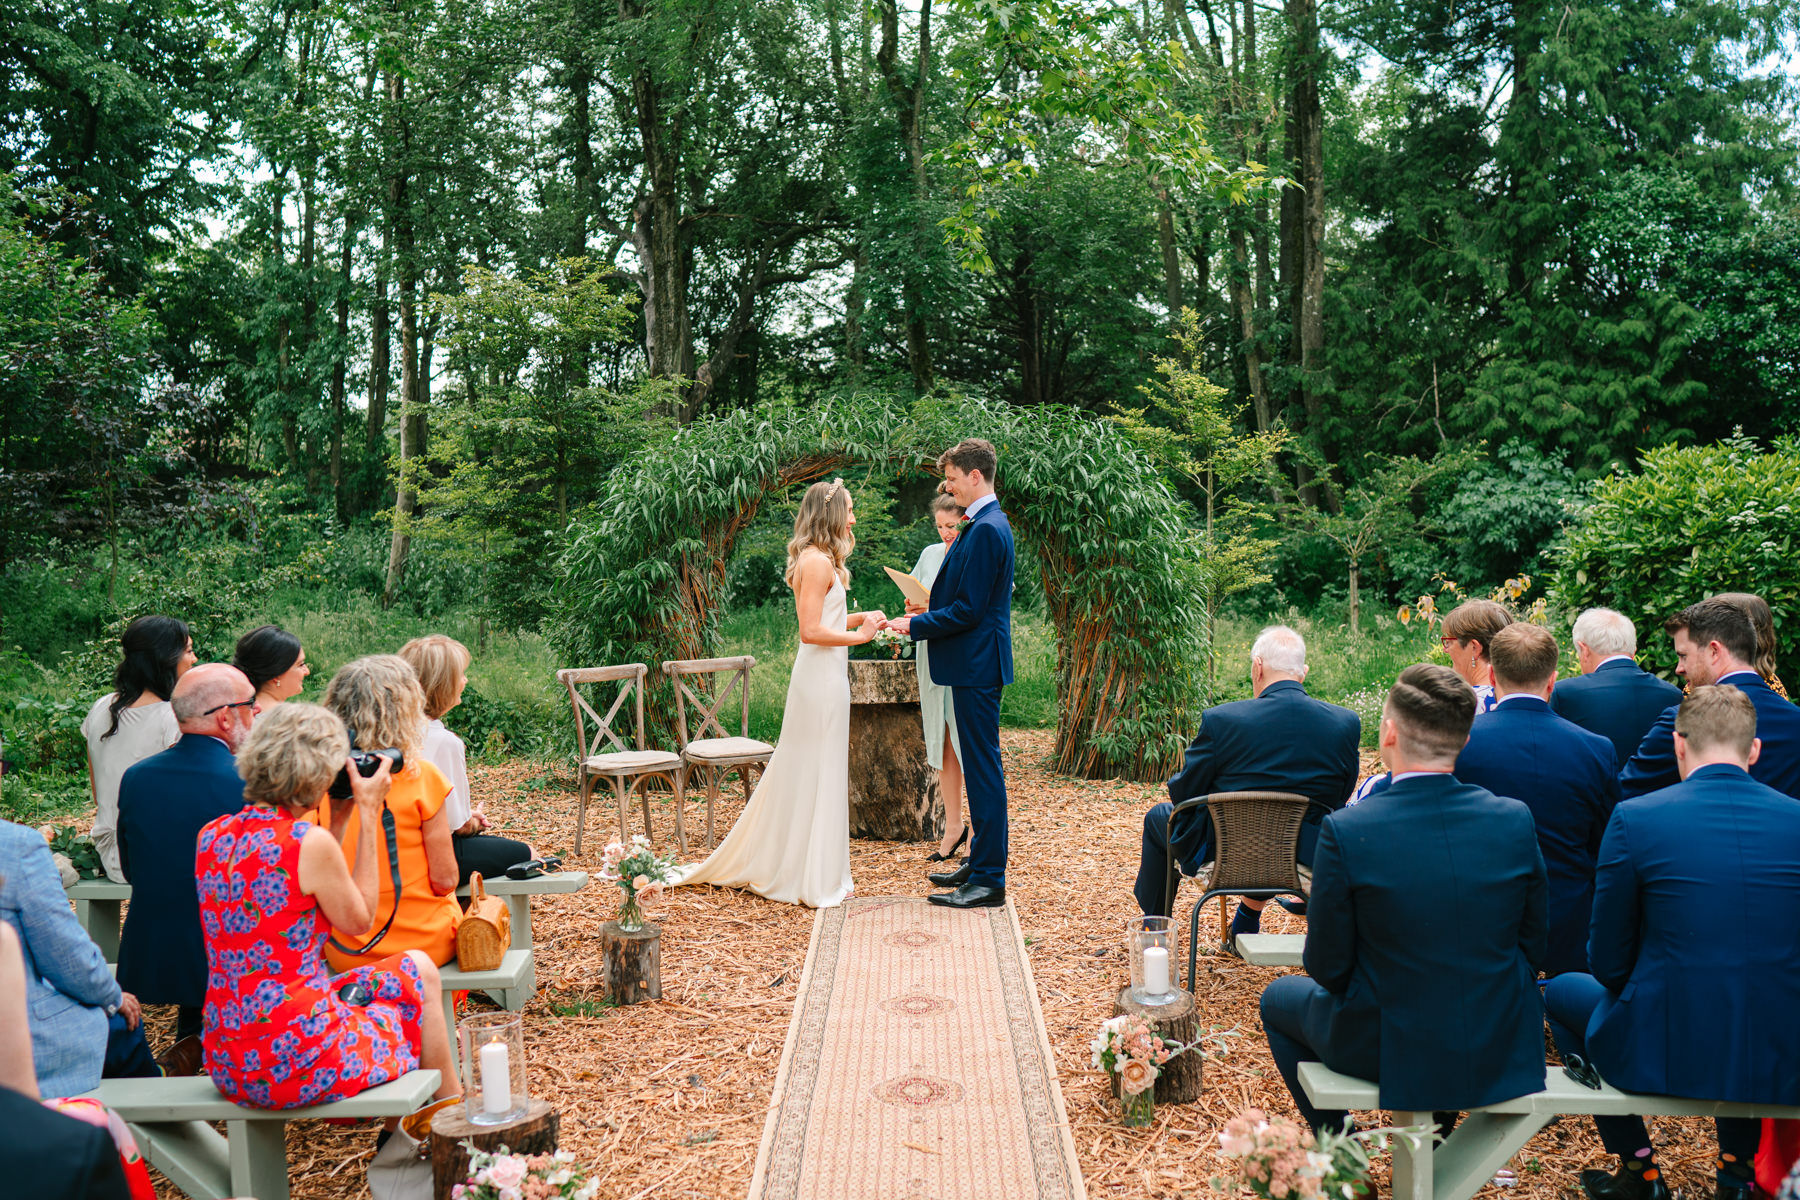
point(67, 985)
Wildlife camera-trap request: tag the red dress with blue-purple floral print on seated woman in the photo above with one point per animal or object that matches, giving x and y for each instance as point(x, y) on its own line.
point(276, 1032)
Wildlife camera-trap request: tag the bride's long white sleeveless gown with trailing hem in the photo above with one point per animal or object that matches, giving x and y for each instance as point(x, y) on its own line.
point(793, 839)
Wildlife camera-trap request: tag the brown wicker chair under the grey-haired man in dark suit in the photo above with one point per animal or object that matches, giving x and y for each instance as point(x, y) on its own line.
point(1255, 839)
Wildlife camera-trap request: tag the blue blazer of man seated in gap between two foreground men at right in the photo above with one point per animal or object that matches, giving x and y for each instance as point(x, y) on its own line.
point(1569, 780)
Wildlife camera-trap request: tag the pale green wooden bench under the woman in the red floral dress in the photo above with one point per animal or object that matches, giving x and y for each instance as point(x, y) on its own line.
point(170, 1120)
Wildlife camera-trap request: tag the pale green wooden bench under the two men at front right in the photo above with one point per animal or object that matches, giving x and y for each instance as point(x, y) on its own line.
point(1488, 1138)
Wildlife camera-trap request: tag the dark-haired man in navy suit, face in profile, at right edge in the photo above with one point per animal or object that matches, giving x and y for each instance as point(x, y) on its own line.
point(1718, 645)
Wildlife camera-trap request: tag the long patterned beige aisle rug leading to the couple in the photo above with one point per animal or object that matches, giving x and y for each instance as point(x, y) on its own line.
point(917, 1066)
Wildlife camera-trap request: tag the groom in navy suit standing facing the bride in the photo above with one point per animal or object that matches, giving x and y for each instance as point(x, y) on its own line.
point(969, 627)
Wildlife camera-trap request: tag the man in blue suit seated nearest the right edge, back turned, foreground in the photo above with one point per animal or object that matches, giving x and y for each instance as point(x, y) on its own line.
point(1689, 998)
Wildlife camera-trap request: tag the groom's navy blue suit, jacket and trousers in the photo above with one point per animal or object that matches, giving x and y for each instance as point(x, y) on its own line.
point(969, 627)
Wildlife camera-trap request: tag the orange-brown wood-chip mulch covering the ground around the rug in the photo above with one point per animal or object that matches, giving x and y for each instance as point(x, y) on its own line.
point(669, 1100)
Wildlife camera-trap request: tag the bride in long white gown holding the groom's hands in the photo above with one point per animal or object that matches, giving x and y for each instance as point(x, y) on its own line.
point(793, 839)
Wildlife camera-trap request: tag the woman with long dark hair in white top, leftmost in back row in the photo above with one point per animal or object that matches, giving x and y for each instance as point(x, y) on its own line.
point(134, 721)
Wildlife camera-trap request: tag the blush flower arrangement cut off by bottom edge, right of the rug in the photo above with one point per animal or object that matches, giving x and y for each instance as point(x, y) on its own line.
point(1281, 1161)
